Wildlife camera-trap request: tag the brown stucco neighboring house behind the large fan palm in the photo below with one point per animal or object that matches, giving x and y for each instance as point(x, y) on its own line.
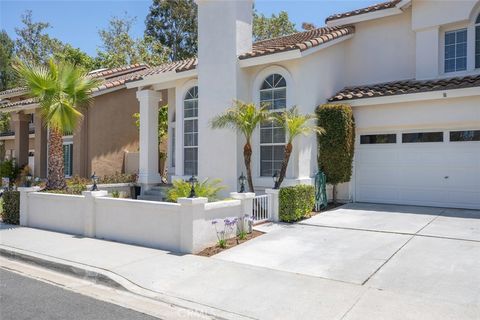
point(104, 142)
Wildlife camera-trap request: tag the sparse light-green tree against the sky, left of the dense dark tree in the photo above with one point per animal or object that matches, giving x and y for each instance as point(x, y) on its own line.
point(119, 48)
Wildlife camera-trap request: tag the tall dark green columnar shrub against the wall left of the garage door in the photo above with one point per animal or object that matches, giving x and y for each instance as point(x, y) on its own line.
point(336, 146)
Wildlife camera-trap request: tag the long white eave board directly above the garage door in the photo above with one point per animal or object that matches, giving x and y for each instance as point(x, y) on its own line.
point(410, 97)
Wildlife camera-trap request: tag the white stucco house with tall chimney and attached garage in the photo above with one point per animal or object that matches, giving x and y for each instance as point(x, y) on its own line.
point(410, 69)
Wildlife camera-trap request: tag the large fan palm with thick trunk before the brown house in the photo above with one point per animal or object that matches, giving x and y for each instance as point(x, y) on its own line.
point(62, 91)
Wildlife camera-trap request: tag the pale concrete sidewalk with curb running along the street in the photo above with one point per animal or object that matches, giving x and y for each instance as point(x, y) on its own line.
point(220, 288)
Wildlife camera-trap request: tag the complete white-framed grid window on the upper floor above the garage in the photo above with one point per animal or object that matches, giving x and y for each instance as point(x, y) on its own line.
point(456, 50)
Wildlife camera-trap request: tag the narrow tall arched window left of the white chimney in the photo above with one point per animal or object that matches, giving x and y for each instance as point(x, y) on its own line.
point(190, 132)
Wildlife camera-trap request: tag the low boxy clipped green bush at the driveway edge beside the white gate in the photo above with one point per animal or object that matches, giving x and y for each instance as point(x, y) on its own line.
point(296, 202)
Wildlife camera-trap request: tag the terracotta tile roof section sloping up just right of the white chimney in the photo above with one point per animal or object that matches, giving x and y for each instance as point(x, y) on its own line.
point(301, 41)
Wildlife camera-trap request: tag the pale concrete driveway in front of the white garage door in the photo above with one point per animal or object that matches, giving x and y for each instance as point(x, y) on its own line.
point(411, 257)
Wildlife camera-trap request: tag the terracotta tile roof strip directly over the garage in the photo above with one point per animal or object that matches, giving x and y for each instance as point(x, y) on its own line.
point(405, 87)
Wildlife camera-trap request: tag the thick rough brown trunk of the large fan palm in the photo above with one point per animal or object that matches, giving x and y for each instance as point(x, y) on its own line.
point(56, 175)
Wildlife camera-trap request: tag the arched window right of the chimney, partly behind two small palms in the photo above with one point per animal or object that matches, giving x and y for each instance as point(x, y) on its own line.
point(273, 95)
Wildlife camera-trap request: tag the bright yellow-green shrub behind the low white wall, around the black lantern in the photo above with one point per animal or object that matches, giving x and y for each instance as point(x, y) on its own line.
point(207, 189)
